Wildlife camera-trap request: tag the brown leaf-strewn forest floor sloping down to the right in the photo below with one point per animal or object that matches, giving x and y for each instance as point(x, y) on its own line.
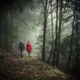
point(16, 68)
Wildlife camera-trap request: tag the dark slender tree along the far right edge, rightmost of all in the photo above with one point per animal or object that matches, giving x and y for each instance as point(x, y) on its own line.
point(77, 23)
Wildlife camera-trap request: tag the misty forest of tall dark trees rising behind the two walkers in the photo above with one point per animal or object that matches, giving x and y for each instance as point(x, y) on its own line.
point(52, 26)
